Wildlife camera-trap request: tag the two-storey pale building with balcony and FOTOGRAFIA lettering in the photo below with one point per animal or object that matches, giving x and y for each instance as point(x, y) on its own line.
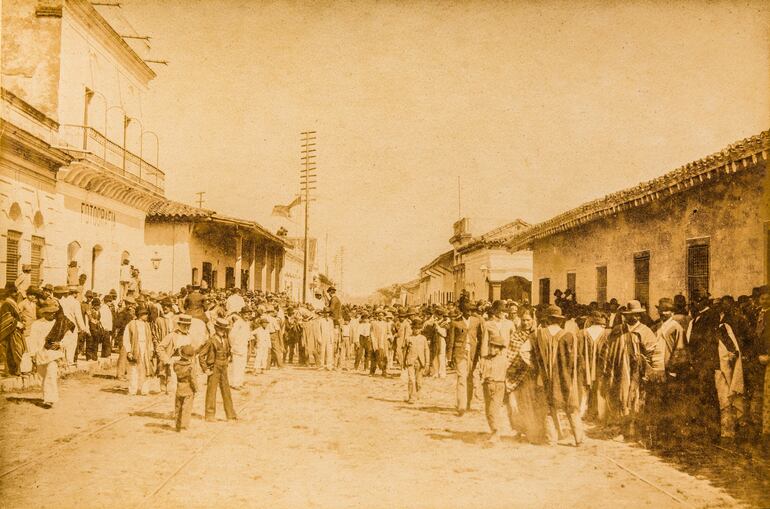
point(72, 87)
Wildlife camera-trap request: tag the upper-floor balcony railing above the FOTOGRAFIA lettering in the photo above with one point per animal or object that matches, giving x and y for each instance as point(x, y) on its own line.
point(115, 158)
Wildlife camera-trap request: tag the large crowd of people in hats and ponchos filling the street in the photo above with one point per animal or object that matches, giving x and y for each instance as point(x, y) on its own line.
point(698, 371)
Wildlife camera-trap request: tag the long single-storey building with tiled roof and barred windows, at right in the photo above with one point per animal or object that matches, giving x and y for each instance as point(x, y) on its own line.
point(704, 225)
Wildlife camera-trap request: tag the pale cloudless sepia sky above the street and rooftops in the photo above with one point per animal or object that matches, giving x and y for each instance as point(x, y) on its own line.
point(537, 107)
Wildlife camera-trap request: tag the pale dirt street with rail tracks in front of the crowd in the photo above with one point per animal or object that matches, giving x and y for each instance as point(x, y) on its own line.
point(308, 438)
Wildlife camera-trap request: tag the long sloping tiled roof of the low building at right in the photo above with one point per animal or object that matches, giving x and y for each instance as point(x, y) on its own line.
point(722, 164)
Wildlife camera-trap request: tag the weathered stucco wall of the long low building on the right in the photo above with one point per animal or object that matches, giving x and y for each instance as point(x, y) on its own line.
point(733, 213)
